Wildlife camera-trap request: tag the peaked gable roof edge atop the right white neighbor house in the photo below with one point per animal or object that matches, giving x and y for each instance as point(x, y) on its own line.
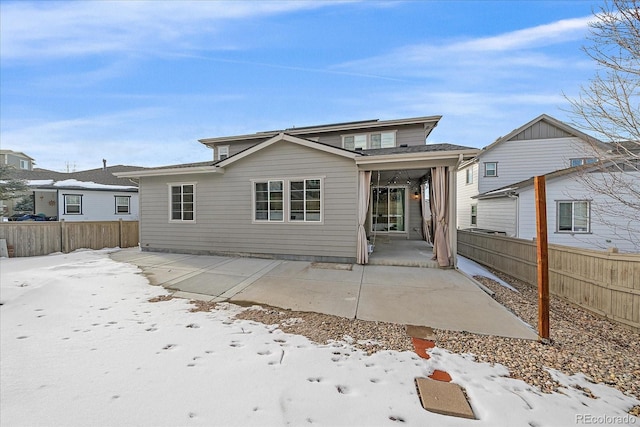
point(528, 130)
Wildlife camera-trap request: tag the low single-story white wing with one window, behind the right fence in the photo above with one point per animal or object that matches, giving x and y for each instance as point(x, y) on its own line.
point(576, 216)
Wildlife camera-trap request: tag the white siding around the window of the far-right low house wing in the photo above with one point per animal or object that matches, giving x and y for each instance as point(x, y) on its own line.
point(601, 237)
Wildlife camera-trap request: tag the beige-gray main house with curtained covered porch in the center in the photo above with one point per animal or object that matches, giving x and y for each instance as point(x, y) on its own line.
point(312, 193)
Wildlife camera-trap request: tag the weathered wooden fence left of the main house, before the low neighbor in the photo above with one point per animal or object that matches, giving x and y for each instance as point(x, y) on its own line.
point(33, 238)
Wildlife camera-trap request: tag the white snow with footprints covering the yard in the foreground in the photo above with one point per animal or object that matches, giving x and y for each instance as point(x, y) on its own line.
point(82, 346)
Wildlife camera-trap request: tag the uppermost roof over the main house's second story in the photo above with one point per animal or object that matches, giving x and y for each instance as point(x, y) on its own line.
point(429, 122)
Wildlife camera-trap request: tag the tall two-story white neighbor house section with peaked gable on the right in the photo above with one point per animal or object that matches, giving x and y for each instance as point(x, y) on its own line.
point(542, 145)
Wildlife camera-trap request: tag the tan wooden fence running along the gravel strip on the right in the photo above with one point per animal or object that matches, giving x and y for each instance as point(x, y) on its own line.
point(605, 283)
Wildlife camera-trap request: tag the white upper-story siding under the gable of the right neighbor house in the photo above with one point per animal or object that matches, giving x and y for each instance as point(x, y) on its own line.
point(521, 159)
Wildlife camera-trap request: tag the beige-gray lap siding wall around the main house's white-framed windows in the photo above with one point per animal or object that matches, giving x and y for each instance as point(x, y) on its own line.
point(224, 209)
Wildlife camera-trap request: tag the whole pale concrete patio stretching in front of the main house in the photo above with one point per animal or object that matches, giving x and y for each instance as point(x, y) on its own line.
point(442, 299)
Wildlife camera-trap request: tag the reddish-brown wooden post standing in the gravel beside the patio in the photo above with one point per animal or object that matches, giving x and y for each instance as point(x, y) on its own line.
point(542, 258)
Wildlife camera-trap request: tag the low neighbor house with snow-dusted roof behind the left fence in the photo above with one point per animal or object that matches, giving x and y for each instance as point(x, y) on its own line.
point(90, 195)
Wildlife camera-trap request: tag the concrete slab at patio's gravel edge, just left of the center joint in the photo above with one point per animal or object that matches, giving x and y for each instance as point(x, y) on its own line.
point(330, 297)
